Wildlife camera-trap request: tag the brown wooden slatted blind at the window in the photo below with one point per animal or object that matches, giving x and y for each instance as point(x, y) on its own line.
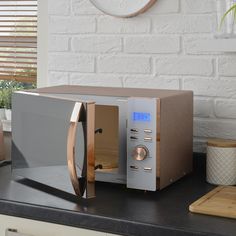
point(18, 40)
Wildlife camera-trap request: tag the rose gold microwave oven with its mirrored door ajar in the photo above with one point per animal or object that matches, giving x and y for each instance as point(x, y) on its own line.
point(68, 137)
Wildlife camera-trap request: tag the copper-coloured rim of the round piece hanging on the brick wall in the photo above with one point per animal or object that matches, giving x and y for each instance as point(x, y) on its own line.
point(132, 14)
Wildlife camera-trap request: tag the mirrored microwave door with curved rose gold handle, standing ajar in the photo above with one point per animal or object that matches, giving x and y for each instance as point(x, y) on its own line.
point(53, 142)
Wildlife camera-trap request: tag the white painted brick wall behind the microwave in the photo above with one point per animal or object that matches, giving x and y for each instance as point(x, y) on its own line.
point(162, 48)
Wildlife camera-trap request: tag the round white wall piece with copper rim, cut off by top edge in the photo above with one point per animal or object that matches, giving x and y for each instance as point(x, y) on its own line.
point(123, 8)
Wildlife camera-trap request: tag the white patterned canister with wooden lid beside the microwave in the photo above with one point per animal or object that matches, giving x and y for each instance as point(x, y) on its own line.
point(221, 162)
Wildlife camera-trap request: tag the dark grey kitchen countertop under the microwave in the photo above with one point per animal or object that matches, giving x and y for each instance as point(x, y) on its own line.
point(116, 209)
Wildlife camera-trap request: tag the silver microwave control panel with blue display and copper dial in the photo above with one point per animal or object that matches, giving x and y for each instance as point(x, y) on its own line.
point(141, 143)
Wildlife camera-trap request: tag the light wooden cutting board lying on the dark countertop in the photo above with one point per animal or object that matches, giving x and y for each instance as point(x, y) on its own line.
point(219, 202)
